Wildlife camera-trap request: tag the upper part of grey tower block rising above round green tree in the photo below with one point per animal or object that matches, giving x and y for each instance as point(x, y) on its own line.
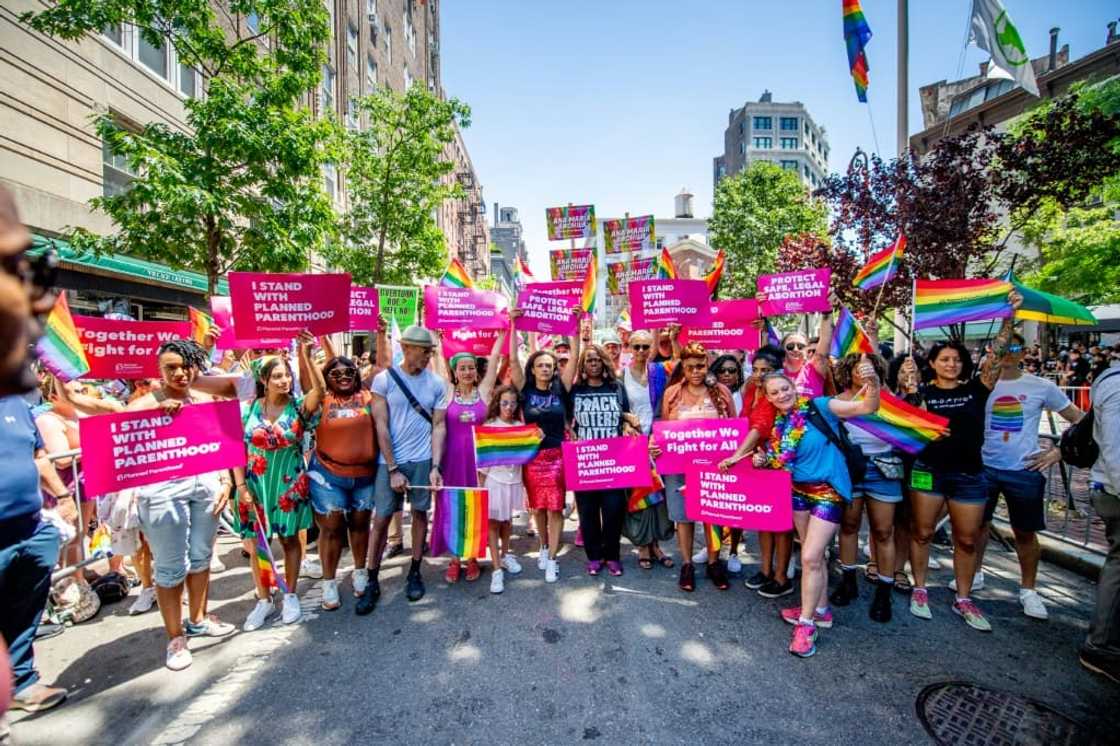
point(783, 134)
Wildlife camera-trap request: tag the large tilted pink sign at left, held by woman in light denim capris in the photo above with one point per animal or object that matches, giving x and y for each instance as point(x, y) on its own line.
point(132, 450)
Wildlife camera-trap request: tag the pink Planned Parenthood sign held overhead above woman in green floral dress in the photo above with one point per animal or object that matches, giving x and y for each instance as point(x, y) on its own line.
point(273, 305)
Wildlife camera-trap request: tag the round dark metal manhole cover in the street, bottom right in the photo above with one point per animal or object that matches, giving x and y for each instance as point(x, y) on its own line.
point(960, 713)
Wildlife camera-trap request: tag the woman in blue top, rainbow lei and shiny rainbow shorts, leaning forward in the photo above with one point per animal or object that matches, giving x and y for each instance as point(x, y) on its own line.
point(822, 487)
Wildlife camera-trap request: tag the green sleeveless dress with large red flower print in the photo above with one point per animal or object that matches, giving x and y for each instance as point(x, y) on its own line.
point(276, 472)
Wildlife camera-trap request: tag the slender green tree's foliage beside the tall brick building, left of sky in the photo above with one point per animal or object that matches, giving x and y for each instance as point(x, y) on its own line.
point(396, 172)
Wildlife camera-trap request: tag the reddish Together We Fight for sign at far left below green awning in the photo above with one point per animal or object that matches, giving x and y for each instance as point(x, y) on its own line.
point(124, 349)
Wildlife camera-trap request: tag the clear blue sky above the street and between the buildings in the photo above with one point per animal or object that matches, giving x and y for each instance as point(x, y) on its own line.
point(622, 102)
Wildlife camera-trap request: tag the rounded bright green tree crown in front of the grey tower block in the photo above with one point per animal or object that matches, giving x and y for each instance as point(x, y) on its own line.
point(753, 212)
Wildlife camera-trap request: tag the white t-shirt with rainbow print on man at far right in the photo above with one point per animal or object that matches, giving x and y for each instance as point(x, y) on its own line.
point(1012, 419)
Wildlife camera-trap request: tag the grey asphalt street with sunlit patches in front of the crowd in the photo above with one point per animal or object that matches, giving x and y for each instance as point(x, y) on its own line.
point(615, 660)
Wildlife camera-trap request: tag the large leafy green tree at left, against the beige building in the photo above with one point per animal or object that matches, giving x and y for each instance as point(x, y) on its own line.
point(241, 188)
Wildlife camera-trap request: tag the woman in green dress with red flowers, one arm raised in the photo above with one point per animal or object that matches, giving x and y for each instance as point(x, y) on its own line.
point(275, 482)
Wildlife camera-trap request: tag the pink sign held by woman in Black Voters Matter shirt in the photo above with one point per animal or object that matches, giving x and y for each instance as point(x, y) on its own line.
point(606, 464)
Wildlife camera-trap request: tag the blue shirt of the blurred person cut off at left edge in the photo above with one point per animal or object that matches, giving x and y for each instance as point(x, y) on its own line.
point(20, 440)
